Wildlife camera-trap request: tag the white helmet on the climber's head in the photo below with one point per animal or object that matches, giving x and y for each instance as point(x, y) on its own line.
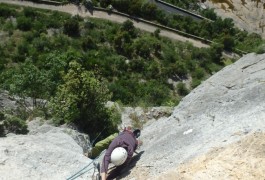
point(118, 156)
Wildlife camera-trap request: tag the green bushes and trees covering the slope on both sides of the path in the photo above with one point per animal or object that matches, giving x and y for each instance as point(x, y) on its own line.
point(78, 64)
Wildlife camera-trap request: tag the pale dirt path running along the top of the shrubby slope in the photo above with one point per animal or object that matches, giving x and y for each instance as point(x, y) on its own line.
point(72, 9)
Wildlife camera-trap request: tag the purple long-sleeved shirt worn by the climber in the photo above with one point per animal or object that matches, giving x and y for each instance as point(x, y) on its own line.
point(126, 140)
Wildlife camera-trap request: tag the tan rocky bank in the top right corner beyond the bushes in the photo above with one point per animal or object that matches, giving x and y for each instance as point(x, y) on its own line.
point(247, 15)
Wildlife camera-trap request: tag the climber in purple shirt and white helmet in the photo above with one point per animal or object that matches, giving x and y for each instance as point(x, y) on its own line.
point(121, 150)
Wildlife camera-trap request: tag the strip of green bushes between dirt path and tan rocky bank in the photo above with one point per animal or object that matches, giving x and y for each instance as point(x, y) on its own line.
point(219, 30)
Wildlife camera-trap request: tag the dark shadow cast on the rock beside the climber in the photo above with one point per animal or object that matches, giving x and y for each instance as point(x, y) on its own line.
point(124, 170)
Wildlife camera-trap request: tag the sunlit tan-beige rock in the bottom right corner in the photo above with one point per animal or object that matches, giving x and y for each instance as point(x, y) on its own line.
point(243, 160)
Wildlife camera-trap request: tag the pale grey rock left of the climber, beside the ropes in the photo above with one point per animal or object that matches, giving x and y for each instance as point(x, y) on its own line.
point(46, 153)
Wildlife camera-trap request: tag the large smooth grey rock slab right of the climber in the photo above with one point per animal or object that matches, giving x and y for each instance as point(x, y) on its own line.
point(222, 110)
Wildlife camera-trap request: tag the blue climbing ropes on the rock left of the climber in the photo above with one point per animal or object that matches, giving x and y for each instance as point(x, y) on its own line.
point(84, 169)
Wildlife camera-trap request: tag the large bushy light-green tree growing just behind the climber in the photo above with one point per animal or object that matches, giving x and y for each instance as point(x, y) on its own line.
point(81, 100)
